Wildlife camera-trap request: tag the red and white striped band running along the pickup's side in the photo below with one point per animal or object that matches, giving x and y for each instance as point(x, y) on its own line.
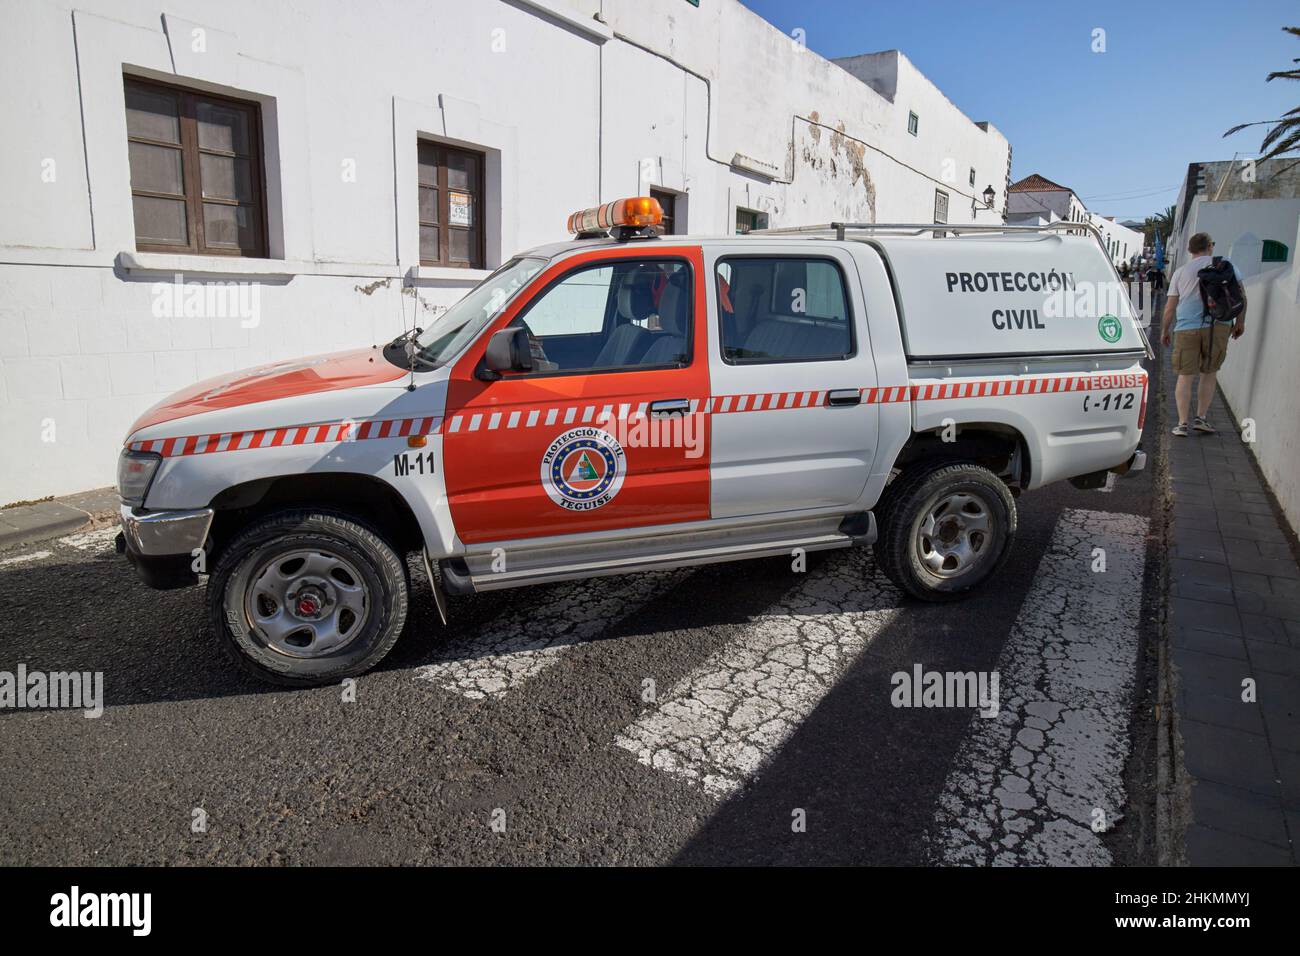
point(333, 432)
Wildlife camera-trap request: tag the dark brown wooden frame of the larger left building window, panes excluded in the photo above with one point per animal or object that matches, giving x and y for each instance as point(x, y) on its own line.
point(192, 187)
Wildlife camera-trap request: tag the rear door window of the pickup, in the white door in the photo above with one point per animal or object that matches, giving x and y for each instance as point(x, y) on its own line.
point(783, 310)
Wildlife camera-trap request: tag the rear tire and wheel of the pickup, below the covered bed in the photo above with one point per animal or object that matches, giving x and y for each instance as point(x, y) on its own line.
point(944, 530)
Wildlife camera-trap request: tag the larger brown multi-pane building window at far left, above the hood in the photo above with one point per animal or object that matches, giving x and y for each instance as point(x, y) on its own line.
point(197, 184)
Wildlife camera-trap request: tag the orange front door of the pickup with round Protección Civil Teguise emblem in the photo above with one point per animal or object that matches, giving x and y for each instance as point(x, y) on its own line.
point(605, 432)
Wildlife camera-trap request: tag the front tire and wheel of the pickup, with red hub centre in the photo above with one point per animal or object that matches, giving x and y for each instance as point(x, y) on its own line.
point(304, 599)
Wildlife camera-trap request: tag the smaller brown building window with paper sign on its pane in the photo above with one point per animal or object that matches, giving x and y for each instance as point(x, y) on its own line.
point(452, 192)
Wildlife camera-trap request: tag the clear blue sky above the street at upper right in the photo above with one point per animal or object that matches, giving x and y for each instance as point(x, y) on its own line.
point(1119, 128)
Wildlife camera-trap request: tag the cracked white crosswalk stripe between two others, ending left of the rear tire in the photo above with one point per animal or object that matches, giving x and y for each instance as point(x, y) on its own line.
point(723, 721)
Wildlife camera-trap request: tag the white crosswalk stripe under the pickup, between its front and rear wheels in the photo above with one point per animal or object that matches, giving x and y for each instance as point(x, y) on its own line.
point(517, 647)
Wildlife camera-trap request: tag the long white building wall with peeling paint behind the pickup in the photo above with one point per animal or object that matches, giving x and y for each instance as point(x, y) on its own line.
point(569, 110)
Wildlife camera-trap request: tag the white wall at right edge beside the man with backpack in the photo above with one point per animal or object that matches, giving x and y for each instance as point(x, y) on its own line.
point(1259, 378)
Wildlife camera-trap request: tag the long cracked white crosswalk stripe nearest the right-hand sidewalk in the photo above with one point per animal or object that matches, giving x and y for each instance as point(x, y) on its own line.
point(1025, 786)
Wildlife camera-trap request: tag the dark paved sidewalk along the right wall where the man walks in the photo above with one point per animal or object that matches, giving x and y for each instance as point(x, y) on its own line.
point(1234, 615)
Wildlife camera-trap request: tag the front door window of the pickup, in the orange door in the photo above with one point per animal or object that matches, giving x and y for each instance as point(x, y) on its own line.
point(626, 314)
